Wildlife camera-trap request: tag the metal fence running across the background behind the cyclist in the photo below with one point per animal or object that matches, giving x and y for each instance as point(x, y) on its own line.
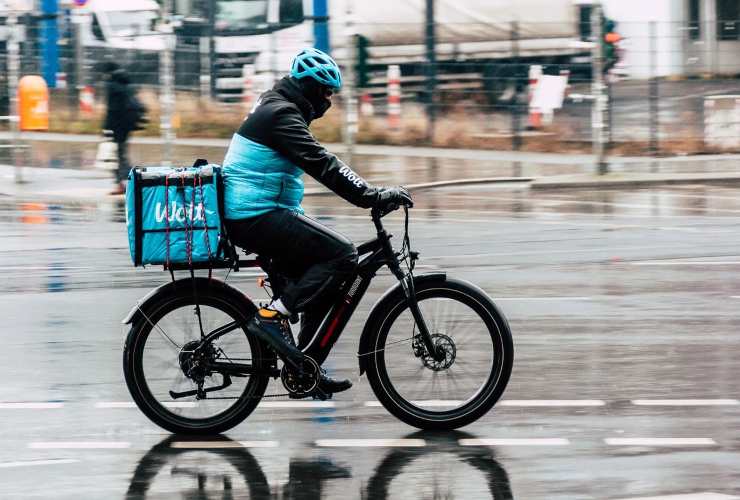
point(674, 89)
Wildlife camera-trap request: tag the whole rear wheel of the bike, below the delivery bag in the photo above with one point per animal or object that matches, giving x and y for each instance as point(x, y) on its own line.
point(163, 353)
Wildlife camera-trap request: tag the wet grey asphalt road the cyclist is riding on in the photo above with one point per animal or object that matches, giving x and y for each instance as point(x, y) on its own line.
point(623, 306)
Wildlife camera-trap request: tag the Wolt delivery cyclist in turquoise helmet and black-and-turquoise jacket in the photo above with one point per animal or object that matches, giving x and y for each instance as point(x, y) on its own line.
point(263, 190)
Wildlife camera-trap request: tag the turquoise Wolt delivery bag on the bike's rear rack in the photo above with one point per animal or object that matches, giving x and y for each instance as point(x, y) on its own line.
point(173, 215)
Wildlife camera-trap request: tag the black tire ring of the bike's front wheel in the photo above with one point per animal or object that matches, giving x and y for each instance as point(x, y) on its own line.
point(489, 393)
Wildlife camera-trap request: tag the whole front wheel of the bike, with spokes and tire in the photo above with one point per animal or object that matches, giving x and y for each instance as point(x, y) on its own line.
point(457, 390)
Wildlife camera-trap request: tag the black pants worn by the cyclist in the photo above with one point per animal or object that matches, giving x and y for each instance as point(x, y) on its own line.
point(315, 258)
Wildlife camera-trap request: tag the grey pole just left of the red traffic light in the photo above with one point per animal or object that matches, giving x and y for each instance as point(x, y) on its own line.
point(598, 91)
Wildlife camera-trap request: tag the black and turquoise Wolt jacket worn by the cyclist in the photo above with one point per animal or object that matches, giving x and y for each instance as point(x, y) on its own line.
point(270, 152)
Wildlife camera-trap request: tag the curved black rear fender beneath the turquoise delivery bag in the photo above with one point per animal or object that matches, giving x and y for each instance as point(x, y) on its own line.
point(202, 286)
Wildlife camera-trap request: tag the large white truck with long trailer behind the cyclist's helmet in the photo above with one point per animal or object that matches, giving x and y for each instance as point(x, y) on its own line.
point(268, 33)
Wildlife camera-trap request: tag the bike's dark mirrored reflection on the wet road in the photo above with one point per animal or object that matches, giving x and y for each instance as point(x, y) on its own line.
point(225, 470)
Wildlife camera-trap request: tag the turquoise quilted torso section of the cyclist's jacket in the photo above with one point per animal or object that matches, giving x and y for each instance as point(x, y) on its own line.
point(258, 179)
